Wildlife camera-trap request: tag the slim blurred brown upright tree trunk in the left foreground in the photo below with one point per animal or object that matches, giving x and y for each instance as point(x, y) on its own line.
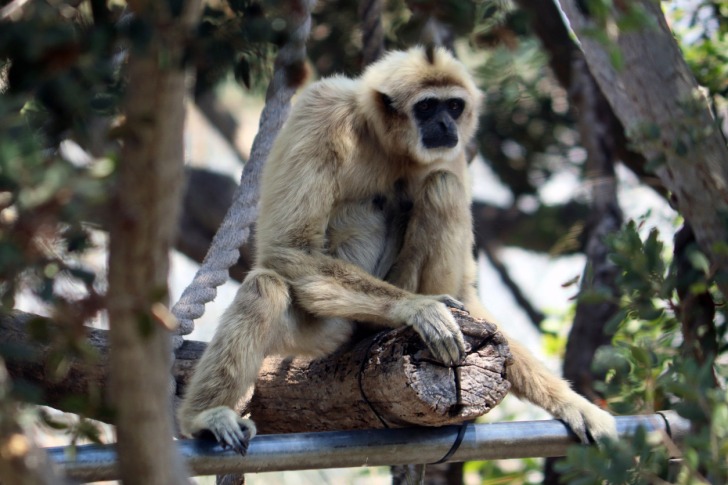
point(141, 235)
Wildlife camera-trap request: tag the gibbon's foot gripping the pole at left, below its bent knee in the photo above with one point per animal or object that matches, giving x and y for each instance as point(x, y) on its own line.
point(226, 427)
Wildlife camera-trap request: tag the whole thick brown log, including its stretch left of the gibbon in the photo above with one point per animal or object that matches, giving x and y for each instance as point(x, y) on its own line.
point(390, 378)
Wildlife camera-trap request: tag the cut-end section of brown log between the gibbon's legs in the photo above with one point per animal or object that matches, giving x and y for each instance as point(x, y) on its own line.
point(391, 377)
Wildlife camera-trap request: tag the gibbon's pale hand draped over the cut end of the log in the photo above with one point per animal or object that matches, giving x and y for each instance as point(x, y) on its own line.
point(431, 319)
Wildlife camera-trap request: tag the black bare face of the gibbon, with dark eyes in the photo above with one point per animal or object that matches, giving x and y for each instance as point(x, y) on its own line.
point(436, 121)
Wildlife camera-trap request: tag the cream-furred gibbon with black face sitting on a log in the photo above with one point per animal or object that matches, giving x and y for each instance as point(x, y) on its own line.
point(365, 216)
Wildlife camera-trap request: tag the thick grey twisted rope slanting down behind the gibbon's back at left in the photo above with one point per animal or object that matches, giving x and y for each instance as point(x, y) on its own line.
point(235, 228)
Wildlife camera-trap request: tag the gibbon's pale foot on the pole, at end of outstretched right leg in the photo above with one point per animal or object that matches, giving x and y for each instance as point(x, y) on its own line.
point(590, 423)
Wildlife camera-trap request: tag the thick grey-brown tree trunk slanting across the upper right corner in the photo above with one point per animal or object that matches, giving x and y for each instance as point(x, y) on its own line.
point(657, 99)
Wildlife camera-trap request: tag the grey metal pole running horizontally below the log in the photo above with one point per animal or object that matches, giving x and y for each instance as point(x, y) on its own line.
point(336, 449)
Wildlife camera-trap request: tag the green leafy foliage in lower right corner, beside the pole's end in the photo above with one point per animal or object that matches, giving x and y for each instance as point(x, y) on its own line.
point(649, 368)
